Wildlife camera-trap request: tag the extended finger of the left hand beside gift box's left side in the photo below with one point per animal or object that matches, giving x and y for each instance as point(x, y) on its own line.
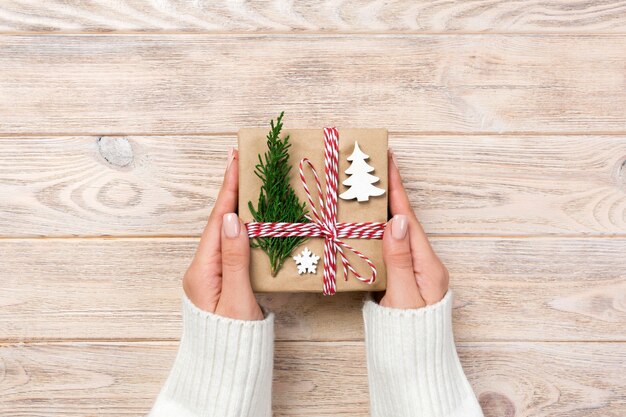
point(226, 202)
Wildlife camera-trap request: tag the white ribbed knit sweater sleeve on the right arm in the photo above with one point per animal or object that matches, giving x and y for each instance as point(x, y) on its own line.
point(413, 366)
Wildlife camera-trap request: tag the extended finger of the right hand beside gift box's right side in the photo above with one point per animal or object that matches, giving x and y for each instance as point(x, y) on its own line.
point(399, 204)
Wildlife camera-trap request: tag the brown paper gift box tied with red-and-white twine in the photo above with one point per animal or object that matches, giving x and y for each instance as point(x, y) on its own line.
point(366, 180)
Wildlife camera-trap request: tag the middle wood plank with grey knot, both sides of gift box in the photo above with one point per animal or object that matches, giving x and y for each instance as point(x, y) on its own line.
point(459, 185)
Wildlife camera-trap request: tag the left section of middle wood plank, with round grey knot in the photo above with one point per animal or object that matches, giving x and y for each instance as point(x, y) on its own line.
point(81, 186)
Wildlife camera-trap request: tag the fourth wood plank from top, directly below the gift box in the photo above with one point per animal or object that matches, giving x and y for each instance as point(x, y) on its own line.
point(506, 289)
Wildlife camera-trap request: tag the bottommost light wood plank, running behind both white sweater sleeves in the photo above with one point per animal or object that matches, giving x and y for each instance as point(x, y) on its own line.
point(315, 379)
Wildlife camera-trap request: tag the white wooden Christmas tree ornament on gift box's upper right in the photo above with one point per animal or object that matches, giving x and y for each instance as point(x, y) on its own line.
point(360, 180)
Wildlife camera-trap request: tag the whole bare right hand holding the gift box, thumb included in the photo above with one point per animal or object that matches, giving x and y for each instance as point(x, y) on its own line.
point(415, 275)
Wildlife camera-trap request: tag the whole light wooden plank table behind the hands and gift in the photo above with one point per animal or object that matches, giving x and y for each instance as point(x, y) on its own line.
point(508, 120)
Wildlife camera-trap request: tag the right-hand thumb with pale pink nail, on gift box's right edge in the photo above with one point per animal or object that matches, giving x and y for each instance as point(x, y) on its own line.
point(402, 290)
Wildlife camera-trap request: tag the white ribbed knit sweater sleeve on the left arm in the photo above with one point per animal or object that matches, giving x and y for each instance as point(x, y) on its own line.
point(223, 368)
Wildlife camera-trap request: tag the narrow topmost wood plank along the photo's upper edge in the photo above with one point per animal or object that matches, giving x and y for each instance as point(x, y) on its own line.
point(313, 16)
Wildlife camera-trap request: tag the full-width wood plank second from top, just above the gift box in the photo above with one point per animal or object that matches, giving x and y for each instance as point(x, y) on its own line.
point(140, 84)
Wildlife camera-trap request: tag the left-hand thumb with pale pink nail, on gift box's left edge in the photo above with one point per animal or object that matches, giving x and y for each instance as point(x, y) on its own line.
point(236, 299)
